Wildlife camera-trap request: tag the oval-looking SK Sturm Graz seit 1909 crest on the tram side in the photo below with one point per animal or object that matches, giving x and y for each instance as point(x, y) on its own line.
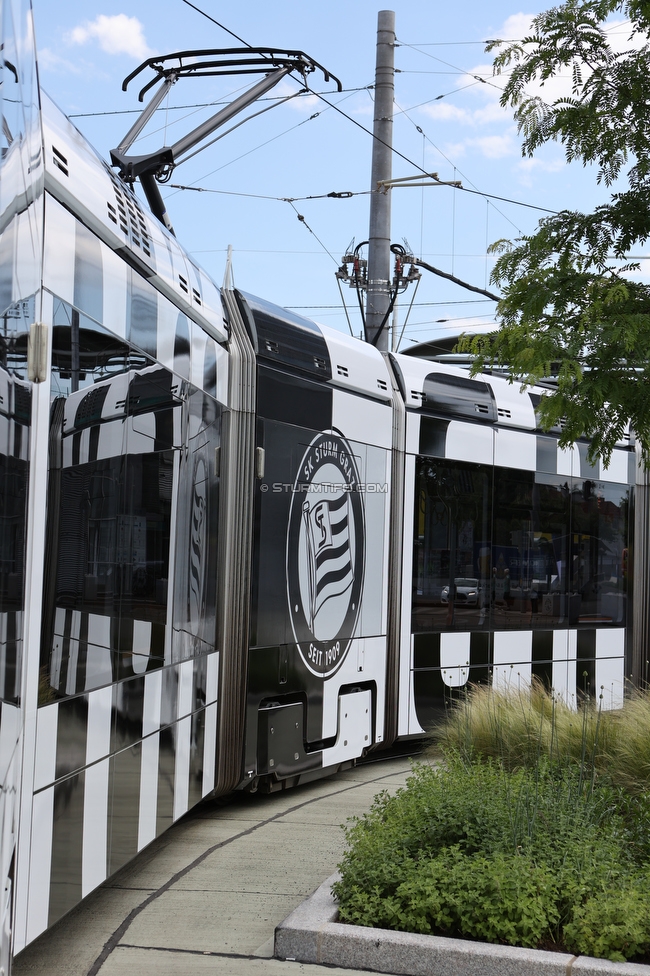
point(325, 553)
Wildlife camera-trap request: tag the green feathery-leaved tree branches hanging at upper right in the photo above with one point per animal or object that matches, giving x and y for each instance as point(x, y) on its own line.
point(568, 309)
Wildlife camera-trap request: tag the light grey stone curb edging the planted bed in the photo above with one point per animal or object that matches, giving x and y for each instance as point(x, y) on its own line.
point(310, 934)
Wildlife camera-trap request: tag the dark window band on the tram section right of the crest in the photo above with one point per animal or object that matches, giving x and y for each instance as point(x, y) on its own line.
point(500, 549)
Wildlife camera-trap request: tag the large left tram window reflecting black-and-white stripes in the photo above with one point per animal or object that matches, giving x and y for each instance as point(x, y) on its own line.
point(131, 482)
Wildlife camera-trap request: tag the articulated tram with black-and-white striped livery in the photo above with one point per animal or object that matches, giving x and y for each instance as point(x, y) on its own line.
point(239, 550)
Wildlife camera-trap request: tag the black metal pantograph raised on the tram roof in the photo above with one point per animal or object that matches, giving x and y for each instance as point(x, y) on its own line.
point(156, 167)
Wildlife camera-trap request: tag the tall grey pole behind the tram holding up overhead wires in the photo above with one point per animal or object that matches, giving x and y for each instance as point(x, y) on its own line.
point(377, 298)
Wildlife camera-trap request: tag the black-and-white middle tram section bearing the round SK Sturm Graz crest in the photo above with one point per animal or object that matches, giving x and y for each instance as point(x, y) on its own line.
point(317, 664)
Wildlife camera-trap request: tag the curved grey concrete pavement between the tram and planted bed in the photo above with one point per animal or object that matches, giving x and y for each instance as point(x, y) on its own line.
point(206, 896)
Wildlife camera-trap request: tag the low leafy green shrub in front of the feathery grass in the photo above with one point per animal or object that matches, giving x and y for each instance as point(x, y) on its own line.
point(520, 857)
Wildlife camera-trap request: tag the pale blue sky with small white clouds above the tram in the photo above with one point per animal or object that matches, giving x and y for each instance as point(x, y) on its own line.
point(250, 188)
